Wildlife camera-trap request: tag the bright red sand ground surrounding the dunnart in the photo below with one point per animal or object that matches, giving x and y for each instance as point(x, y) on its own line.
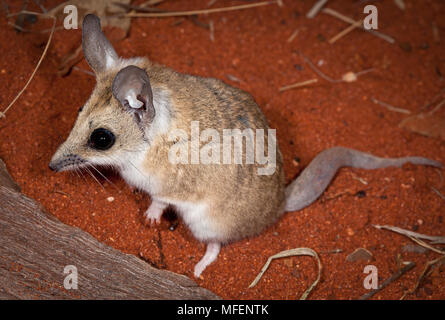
point(252, 45)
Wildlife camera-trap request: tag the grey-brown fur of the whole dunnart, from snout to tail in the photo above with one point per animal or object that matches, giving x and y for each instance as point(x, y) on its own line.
point(239, 202)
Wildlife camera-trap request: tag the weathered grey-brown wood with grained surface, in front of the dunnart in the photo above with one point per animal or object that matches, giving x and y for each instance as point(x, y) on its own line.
point(36, 248)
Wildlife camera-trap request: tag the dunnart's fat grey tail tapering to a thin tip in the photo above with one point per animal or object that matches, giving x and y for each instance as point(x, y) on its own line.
point(314, 179)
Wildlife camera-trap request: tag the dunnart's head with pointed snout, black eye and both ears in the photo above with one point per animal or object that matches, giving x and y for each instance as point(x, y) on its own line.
point(114, 120)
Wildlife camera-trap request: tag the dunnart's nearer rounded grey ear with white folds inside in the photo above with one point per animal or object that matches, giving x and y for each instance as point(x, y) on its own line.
point(131, 87)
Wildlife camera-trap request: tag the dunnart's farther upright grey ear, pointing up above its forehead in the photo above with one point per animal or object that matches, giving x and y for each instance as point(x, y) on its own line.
point(97, 49)
